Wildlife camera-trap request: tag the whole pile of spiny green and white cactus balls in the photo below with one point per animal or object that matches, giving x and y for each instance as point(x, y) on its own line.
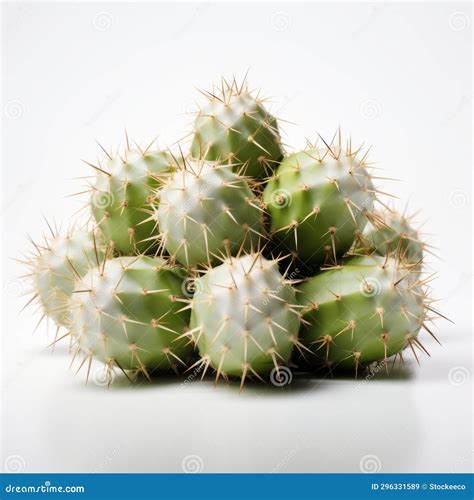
point(235, 256)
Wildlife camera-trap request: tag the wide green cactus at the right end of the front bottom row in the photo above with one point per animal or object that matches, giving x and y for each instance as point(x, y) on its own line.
point(363, 311)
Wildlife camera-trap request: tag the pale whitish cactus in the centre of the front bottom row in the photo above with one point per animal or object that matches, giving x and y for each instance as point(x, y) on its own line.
point(244, 318)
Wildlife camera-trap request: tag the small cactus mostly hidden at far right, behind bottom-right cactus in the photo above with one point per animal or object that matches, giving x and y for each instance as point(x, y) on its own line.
point(392, 232)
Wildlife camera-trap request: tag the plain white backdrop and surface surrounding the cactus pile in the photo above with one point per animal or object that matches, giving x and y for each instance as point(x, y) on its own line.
point(394, 75)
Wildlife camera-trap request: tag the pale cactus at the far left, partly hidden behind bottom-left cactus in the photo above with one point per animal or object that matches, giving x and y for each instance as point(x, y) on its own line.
point(57, 263)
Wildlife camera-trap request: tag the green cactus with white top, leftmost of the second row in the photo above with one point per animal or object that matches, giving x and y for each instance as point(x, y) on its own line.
point(123, 195)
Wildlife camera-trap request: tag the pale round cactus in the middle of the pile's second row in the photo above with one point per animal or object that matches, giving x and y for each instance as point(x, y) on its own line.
point(206, 210)
